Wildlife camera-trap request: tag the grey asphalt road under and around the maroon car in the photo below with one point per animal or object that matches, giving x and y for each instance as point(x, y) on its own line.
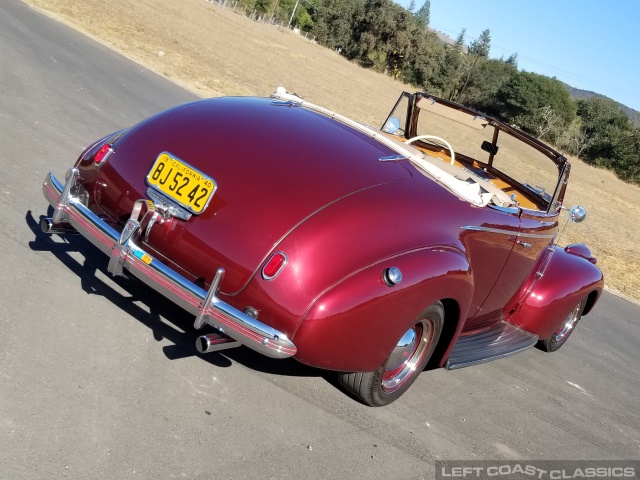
point(99, 378)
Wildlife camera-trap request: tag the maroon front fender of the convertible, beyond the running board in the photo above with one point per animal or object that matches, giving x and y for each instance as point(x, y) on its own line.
point(553, 292)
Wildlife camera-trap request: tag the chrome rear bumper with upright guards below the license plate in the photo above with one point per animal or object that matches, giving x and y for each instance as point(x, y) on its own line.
point(125, 254)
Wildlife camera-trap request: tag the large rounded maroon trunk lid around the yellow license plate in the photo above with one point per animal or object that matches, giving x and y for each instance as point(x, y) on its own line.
point(274, 164)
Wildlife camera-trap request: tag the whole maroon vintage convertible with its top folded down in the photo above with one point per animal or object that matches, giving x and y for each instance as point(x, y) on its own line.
point(297, 232)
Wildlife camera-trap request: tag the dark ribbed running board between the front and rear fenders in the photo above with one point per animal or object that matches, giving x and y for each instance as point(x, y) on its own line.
point(501, 340)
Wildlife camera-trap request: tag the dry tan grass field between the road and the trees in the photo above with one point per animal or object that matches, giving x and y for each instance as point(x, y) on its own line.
point(214, 52)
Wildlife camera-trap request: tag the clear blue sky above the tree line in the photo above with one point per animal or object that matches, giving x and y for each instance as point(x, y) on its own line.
point(589, 44)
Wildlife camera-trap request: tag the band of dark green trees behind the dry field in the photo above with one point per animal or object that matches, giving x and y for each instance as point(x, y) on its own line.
point(382, 35)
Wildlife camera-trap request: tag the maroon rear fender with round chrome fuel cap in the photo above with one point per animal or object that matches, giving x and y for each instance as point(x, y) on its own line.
point(354, 324)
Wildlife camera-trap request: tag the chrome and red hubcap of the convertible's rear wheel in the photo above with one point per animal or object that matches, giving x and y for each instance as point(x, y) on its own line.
point(406, 355)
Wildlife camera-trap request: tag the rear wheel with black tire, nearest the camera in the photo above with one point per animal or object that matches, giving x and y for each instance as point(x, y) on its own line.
point(398, 372)
